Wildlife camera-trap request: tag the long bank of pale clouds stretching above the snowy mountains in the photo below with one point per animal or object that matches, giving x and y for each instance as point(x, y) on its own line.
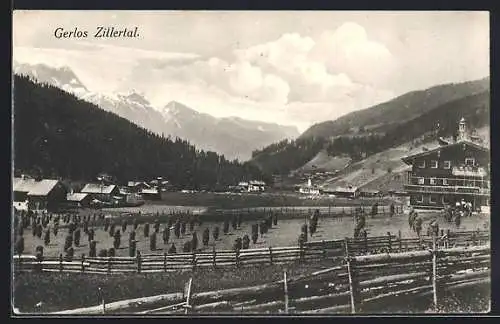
point(294, 79)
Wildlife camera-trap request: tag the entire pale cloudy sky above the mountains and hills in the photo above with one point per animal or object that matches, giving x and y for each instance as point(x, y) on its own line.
point(287, 67)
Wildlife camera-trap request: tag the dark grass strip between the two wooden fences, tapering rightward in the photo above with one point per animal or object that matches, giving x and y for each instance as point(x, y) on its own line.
point(60, 291)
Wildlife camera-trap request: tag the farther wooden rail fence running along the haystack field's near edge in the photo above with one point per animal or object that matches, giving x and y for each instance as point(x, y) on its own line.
point(334, 250)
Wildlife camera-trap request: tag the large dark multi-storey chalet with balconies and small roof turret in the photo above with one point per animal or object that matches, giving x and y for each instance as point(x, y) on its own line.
point(450, 173)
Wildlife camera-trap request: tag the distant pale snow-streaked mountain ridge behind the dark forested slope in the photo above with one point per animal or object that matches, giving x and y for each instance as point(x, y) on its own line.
point(233, 137)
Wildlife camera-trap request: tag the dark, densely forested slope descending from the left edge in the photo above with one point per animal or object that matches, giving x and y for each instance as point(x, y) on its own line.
point(58, 135)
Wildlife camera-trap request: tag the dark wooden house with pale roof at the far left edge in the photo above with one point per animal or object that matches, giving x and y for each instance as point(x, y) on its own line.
point(42, 195)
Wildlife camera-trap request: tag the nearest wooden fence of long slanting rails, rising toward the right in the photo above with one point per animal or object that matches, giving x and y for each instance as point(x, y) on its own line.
point(347, 288)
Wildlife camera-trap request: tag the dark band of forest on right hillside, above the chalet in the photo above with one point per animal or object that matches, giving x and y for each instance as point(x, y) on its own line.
point(440, 121)
